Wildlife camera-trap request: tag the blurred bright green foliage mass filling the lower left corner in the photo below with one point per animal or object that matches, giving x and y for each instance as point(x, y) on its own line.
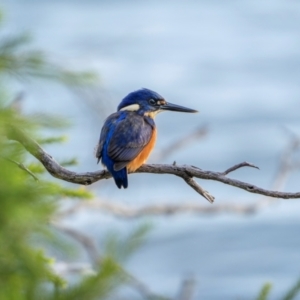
point(27, 208)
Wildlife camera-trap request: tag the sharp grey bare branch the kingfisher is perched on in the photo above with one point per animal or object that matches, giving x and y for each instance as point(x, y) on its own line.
point(185, 172)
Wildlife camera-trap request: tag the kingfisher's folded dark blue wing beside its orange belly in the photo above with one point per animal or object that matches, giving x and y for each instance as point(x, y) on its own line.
point(130, 135)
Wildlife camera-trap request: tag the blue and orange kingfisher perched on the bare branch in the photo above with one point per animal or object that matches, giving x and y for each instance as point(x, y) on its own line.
point(128, 136)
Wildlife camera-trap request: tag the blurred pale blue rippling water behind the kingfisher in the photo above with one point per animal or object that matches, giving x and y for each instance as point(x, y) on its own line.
point(238, 63)
